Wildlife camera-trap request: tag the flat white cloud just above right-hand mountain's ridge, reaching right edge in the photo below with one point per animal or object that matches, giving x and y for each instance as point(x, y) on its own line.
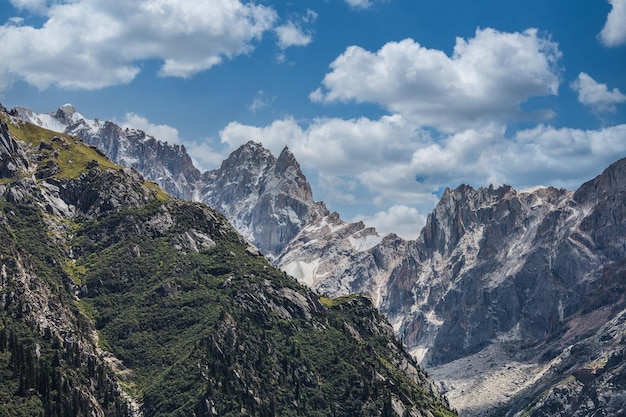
point(542, 155)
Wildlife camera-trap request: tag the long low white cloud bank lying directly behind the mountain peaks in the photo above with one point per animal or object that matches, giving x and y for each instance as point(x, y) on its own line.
point(393, 163)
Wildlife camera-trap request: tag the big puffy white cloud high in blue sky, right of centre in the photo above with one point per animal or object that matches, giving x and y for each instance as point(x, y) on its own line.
point(486, 79)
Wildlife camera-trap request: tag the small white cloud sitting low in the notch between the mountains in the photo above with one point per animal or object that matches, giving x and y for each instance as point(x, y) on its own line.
point(404, 221)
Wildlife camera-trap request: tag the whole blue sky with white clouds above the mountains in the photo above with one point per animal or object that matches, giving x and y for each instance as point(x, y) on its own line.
point(384, 103)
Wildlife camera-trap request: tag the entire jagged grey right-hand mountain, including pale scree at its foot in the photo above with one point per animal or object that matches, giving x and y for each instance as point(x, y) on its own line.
point(508, 295)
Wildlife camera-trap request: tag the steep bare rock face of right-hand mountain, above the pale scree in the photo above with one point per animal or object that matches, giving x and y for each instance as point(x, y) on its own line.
point(495, 263)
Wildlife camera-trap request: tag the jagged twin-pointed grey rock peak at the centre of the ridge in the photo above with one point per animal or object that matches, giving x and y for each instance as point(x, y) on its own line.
point(267, 198)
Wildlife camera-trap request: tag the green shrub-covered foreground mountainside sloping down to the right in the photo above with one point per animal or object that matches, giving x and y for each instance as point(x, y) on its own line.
point(119, 300)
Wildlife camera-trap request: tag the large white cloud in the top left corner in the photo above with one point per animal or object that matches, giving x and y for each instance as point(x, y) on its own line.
point(89, 44)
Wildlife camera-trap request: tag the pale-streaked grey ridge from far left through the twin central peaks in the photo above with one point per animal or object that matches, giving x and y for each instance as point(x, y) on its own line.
point(267, 199)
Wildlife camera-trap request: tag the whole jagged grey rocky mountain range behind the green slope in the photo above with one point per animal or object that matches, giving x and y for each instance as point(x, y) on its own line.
point(512, 299)
